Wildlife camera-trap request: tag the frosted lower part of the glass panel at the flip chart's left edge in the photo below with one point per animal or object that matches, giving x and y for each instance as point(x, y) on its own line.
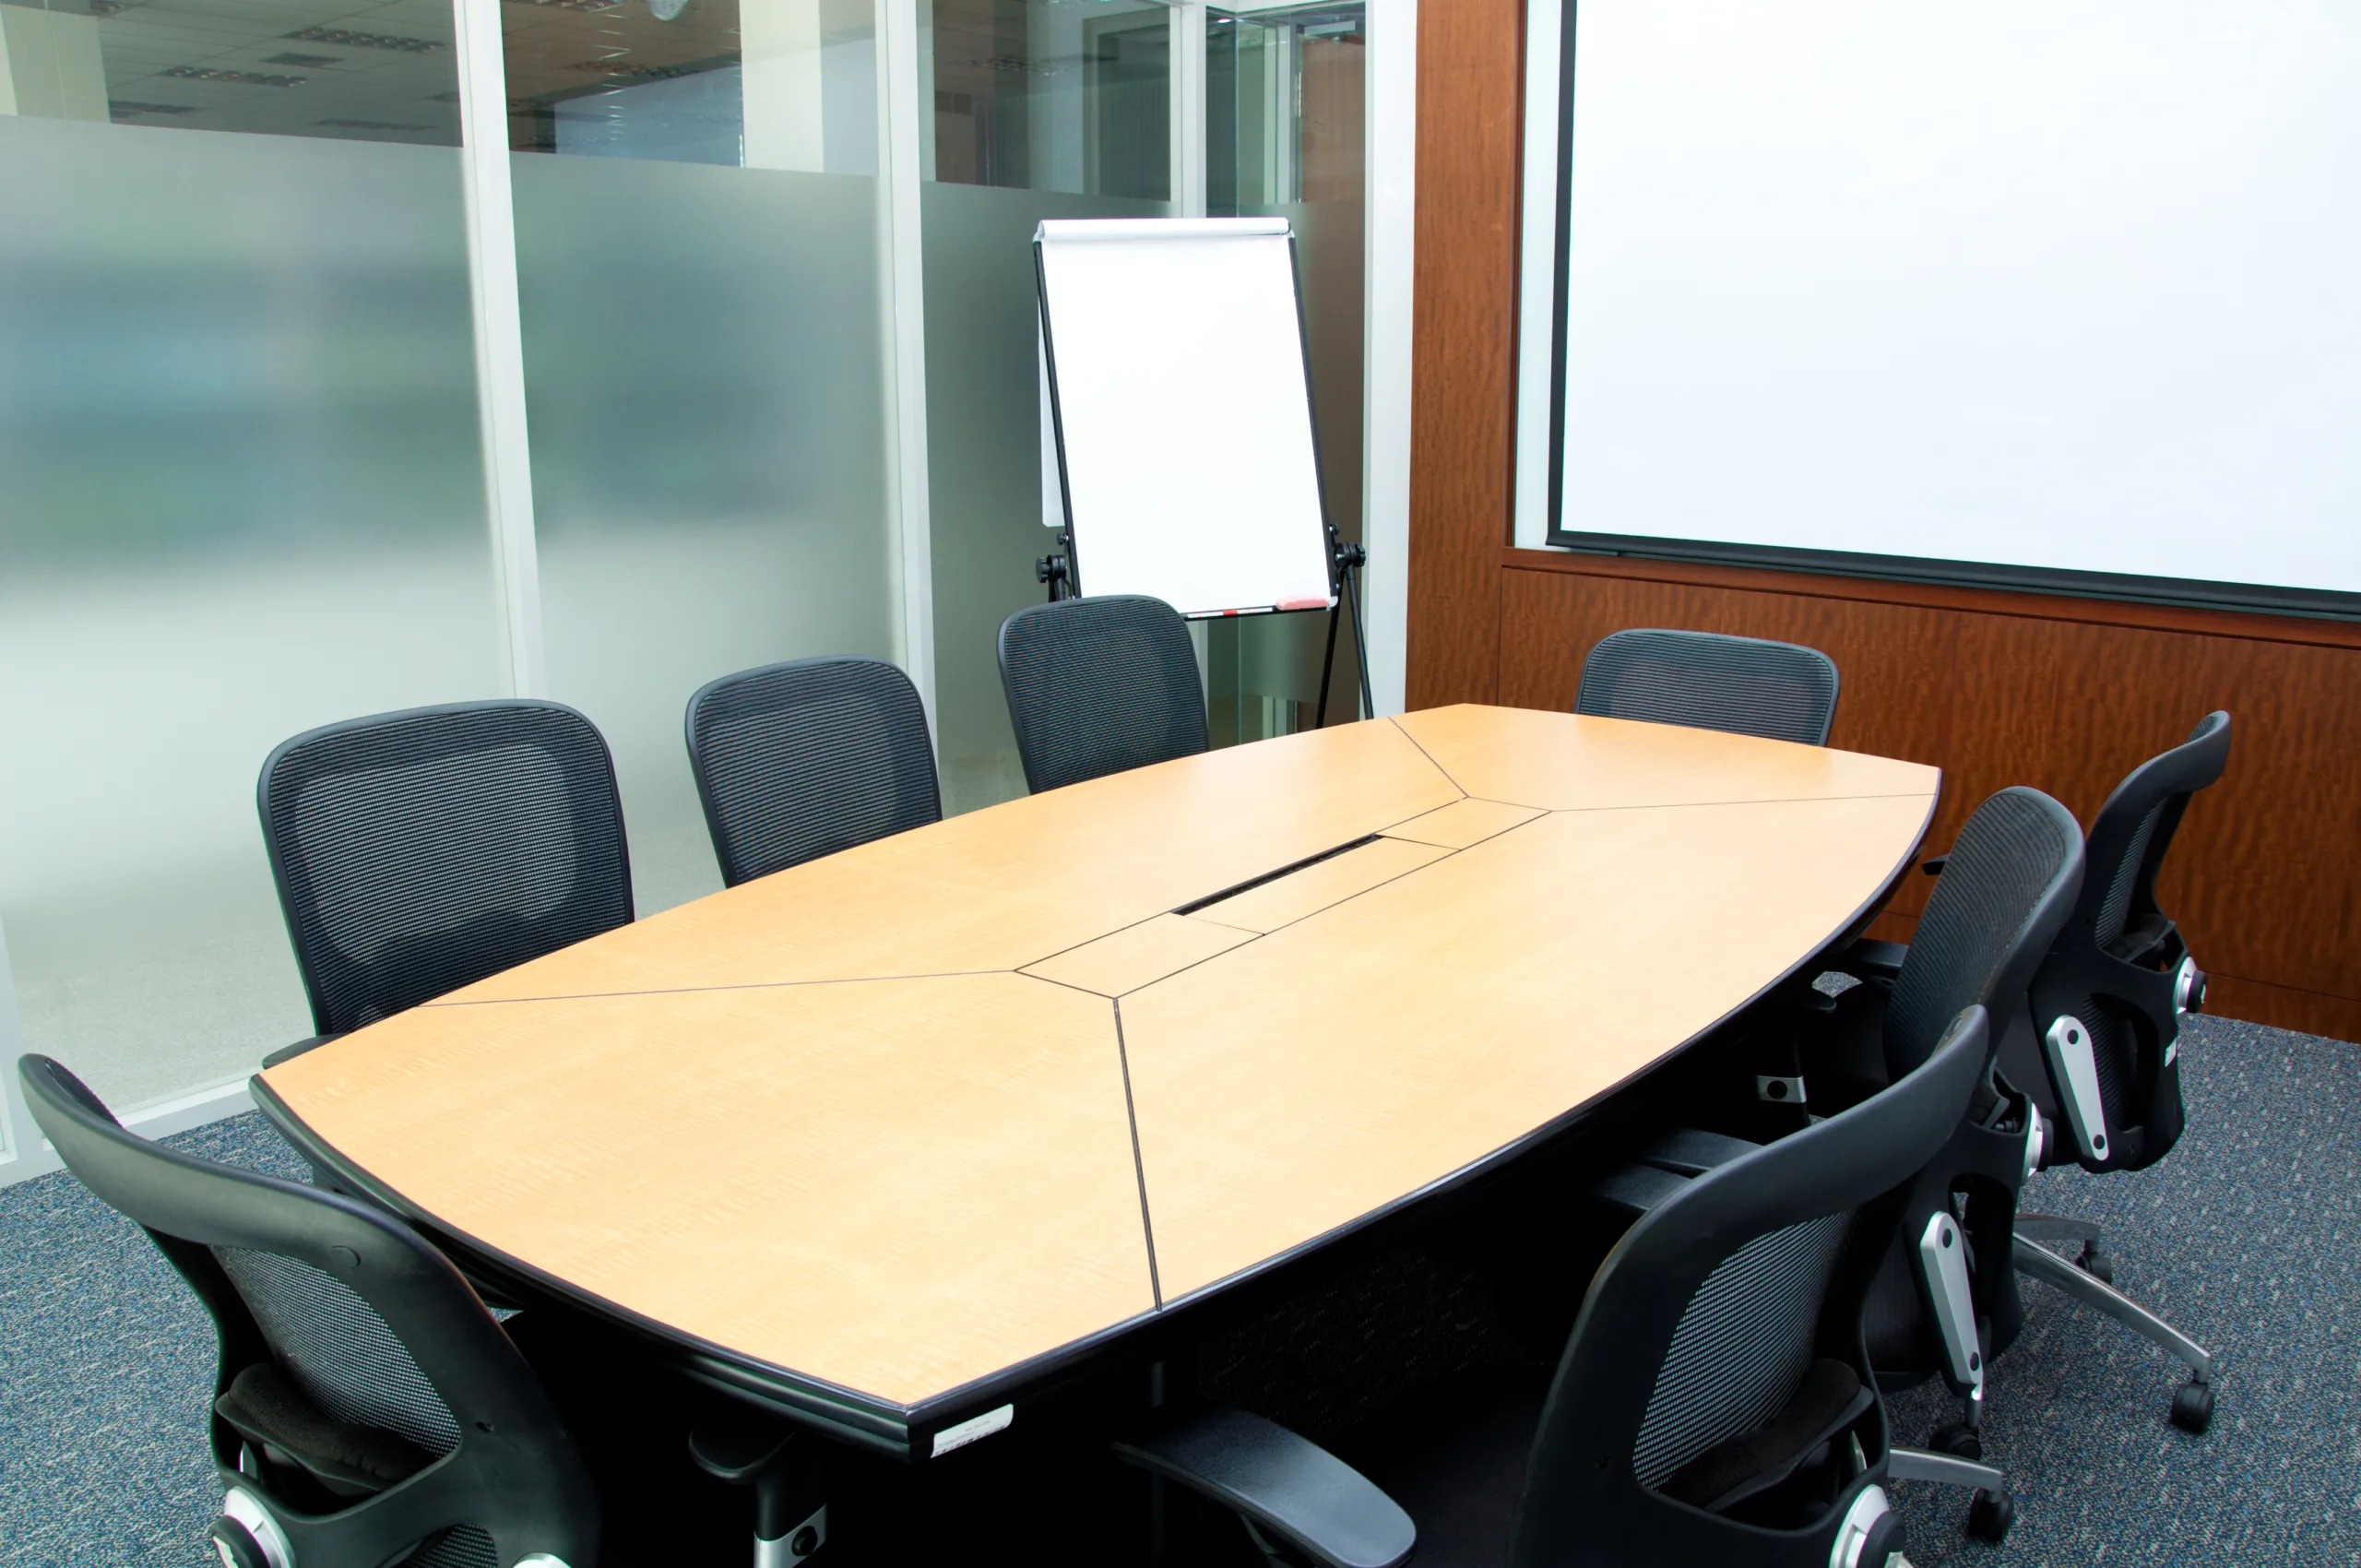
point(983, 433)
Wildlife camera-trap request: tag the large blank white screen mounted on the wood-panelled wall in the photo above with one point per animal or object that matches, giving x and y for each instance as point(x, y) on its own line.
point(2039, 287)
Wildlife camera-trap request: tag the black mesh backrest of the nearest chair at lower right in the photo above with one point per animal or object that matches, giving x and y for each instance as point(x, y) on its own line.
point(1715, 1385)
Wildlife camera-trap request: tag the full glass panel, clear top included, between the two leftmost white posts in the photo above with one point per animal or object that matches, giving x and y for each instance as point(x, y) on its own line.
point(705, 365)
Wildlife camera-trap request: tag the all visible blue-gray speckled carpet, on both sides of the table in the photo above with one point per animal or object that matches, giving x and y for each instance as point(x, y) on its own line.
point(2242, 1236)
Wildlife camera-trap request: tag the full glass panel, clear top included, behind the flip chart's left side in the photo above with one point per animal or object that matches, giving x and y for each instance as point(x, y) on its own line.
point(1068, 110)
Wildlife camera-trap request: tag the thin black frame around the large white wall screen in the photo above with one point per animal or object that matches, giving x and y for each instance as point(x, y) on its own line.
point(2128, 587)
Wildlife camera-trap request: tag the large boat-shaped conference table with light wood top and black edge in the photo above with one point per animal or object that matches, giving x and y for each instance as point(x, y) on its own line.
point(898, 1137)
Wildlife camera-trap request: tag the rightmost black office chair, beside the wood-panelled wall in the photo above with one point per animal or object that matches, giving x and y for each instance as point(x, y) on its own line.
point(2107, 1071)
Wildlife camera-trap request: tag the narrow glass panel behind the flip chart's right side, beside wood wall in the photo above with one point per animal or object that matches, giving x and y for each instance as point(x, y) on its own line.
point(1286, 136)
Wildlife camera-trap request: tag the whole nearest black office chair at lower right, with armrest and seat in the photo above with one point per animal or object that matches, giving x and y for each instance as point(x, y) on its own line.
point(1713, 1404)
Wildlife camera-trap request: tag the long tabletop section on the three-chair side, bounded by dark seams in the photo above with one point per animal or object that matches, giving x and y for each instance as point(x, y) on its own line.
point(1021, 882)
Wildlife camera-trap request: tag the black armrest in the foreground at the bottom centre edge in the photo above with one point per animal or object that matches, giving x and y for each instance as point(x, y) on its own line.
point(1281, 1484)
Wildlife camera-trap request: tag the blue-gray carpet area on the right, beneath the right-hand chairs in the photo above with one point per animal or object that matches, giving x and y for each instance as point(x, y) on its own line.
point(2242, 1239)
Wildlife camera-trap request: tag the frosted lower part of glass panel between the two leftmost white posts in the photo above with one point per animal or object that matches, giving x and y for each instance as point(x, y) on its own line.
point(705, 374)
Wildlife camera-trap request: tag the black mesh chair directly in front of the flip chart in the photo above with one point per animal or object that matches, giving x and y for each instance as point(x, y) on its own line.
point(1101, 686)
